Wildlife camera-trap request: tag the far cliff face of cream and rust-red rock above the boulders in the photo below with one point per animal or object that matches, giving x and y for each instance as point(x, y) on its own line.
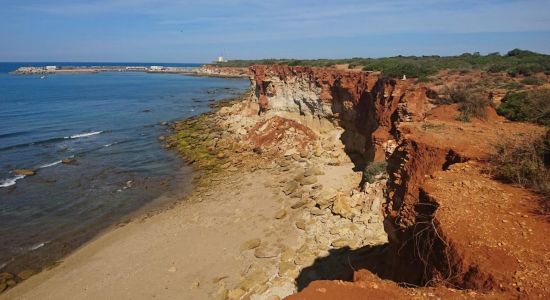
point(365, 104)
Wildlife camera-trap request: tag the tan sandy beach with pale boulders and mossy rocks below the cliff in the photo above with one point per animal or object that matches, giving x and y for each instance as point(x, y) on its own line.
point(244, 227)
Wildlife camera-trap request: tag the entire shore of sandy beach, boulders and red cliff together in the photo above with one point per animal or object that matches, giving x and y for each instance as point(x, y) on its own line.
point(320, 184)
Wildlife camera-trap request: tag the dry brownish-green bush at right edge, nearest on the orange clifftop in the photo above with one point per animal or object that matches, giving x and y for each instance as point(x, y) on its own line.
point(526, 163)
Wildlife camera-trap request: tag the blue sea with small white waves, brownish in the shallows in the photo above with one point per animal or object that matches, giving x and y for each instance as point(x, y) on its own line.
point(107, 125)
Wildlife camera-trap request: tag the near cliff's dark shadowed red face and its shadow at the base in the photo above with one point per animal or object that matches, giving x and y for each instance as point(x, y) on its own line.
point(418, 254)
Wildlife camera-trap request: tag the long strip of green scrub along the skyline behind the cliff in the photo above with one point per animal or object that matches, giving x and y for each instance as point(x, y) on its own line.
point(515, 62)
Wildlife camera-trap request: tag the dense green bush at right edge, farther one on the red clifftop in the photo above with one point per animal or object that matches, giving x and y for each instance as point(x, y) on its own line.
point(532, 106)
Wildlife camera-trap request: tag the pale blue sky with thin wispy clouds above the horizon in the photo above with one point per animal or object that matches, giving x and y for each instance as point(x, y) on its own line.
point(200, 30)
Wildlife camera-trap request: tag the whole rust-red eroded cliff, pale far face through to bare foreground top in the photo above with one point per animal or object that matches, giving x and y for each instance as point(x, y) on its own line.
point(393, 119)
